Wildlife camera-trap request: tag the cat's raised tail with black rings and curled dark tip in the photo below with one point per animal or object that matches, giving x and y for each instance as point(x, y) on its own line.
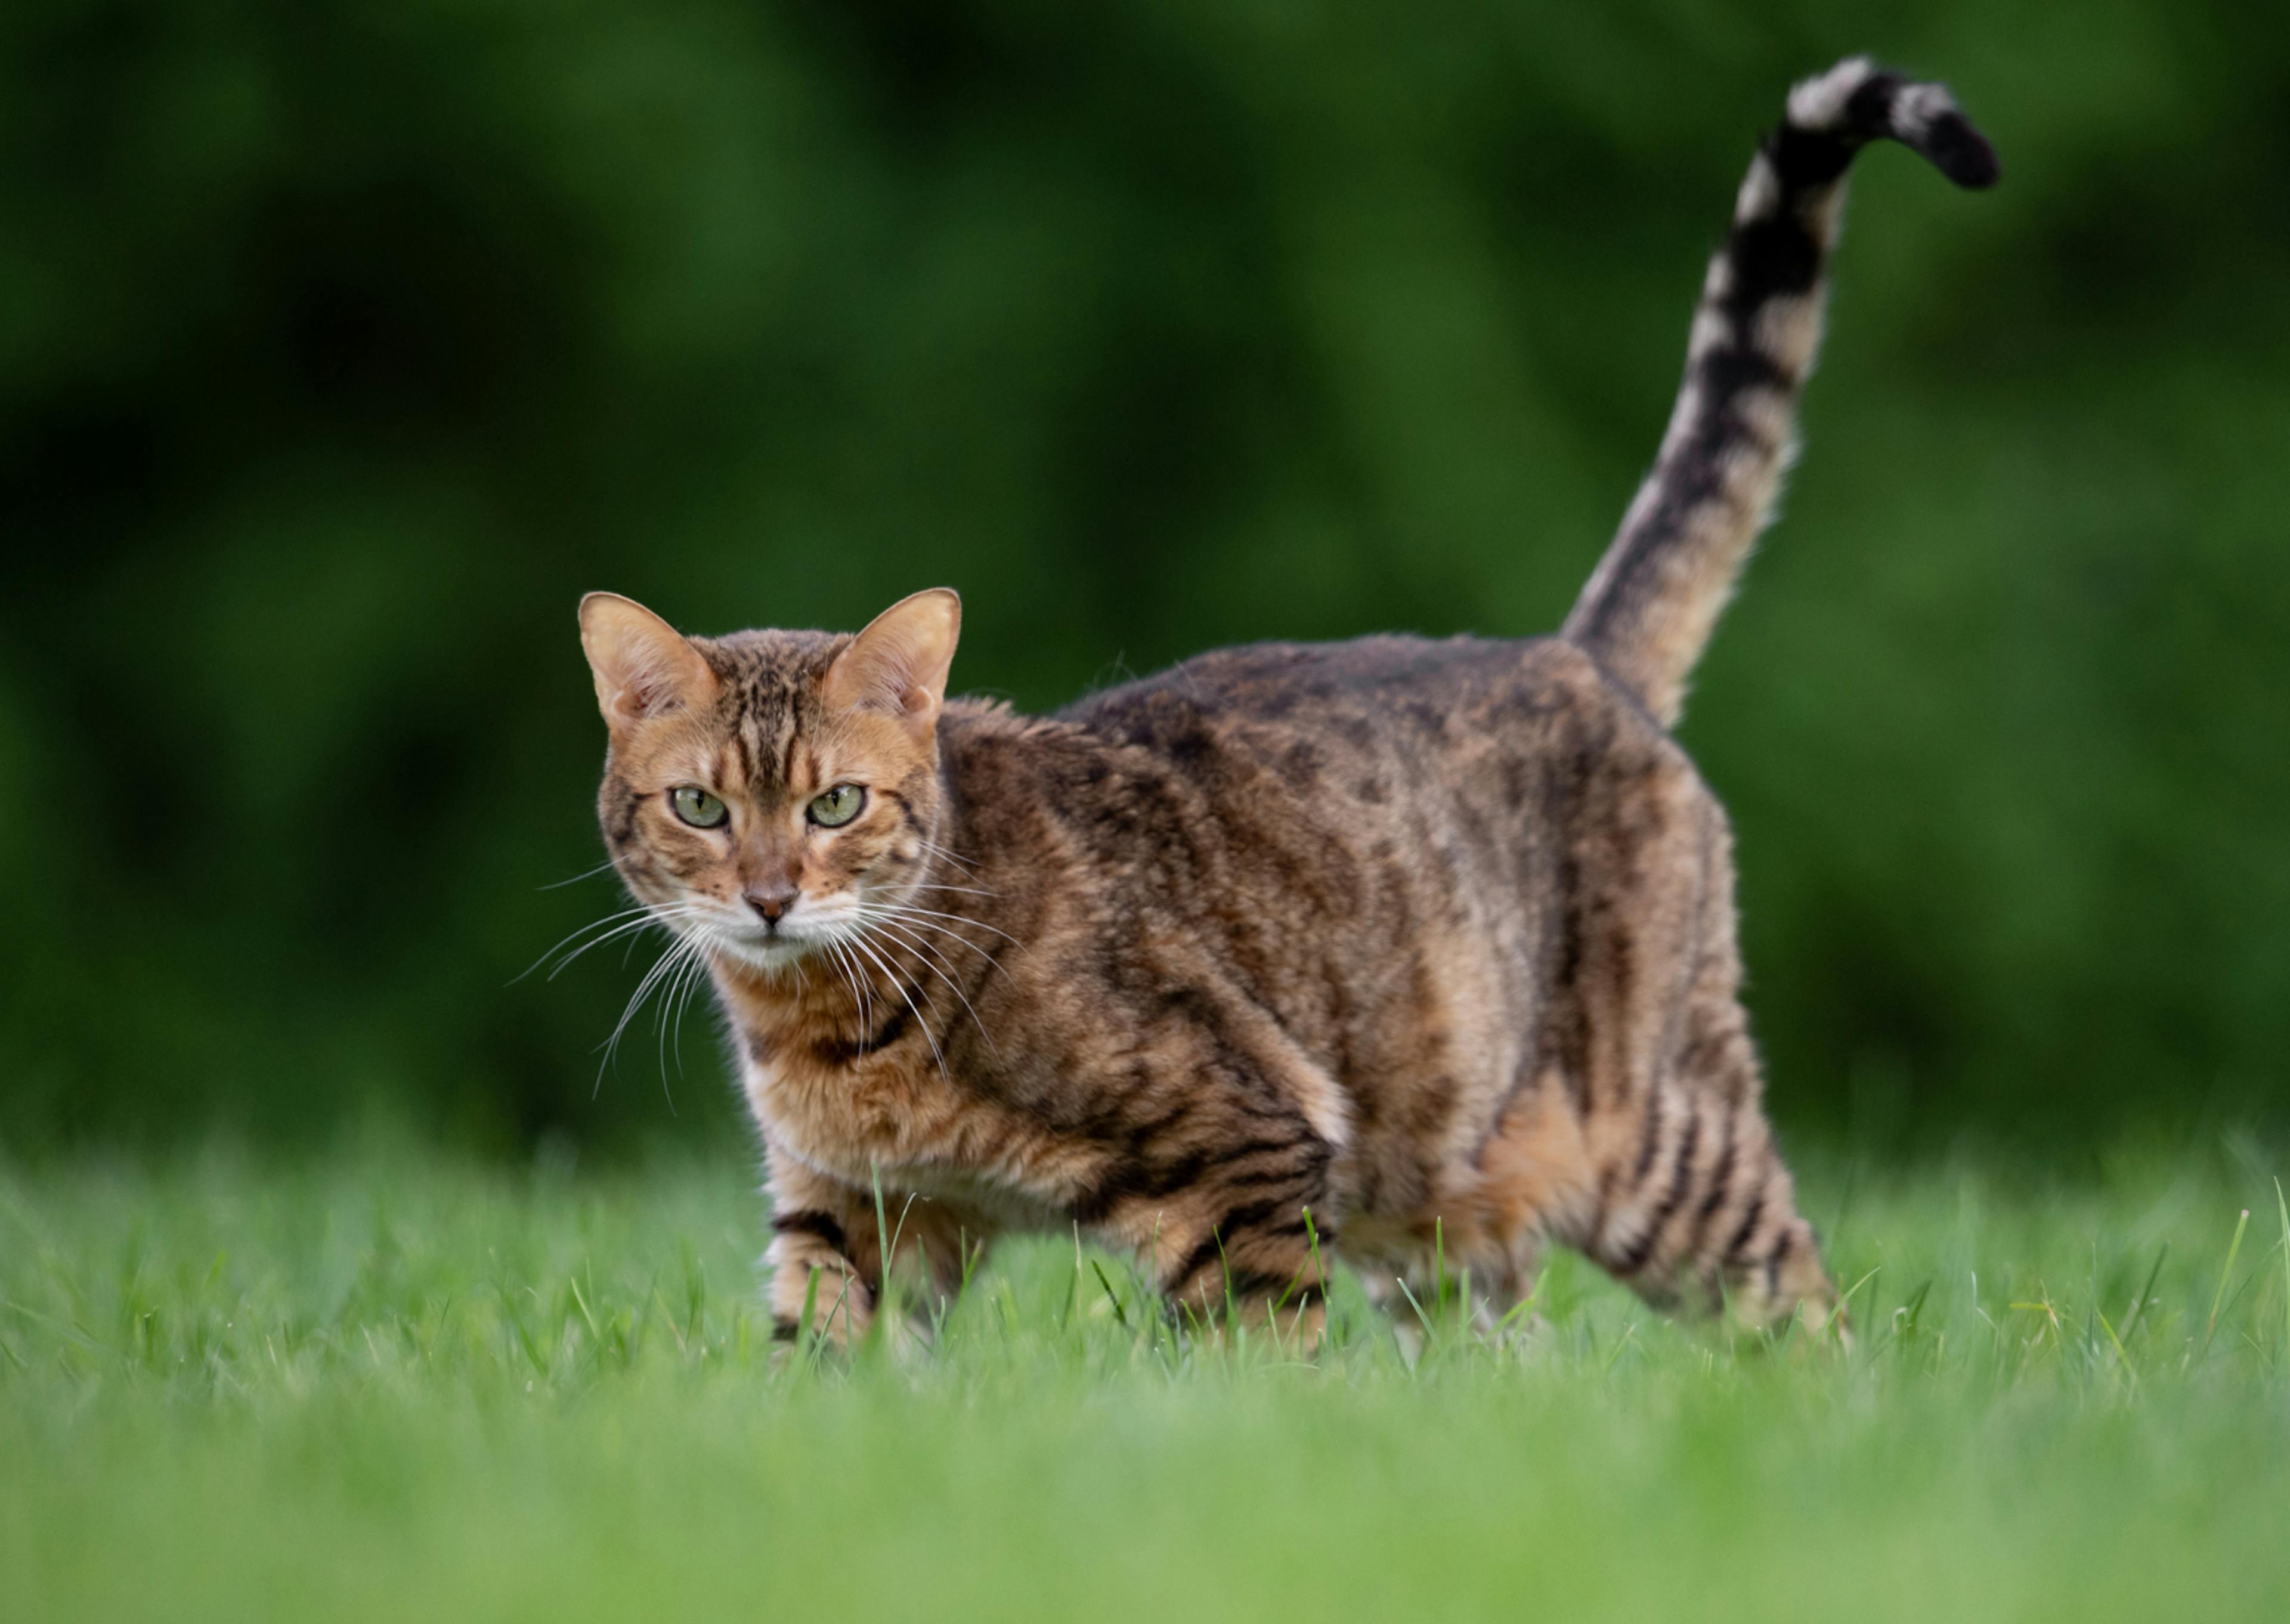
point(1732, 436)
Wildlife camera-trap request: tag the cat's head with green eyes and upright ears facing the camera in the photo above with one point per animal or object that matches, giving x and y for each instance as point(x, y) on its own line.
point(766, 791)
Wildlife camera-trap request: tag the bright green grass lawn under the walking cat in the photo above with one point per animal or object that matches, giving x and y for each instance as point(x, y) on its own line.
point(393, 1387)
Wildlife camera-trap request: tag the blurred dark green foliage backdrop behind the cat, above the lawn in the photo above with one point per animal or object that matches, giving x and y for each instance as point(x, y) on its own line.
point(345, 345)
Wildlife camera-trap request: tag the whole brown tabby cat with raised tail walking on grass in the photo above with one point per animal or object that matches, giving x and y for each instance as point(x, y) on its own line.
point(1295, 952)
